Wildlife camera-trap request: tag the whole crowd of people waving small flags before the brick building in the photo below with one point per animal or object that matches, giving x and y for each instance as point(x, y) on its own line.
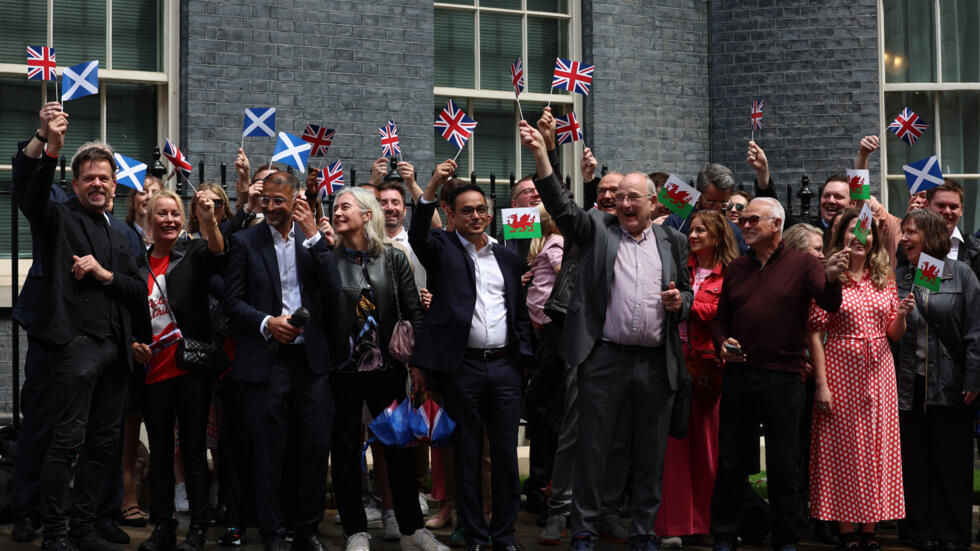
point(646, 351)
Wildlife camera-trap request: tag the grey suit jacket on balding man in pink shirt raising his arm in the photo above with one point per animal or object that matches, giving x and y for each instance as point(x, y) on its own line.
point(598, 234)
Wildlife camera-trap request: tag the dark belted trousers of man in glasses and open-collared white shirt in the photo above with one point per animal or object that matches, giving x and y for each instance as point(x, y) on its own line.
point(485, 393)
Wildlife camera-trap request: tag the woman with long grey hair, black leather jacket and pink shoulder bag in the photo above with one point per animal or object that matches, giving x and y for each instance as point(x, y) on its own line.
point(374, 277)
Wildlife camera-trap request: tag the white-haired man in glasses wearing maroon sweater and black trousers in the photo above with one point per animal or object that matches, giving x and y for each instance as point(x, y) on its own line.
point(760, 330)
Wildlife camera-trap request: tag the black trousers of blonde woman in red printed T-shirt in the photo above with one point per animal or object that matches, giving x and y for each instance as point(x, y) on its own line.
point(186, 398)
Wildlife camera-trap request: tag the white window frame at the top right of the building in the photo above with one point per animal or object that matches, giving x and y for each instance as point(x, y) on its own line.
point(934, 88)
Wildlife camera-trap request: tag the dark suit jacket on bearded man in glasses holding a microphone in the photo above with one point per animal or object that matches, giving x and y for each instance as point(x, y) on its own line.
point(253, 291)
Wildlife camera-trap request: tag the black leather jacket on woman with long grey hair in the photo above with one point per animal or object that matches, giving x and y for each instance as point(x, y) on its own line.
point(354, 278)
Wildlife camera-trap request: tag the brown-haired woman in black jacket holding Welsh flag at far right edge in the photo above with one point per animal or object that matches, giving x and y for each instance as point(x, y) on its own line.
point(938, 367)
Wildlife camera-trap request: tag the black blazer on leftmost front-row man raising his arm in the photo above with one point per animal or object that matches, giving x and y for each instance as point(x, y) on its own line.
point(72, 306)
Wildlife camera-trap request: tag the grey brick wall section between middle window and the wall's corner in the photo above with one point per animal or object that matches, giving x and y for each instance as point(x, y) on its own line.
point(648, 109)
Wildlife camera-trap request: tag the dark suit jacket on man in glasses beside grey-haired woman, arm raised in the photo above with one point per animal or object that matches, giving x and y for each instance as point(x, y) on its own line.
point(450, 277)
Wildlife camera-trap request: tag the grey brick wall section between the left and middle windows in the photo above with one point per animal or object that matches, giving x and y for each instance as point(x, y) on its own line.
point(344, 64)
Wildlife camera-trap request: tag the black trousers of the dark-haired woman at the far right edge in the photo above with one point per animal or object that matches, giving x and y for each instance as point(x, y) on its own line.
point(937, 471)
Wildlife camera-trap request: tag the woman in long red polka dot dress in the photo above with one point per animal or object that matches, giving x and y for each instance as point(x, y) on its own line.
point(855, 452)
